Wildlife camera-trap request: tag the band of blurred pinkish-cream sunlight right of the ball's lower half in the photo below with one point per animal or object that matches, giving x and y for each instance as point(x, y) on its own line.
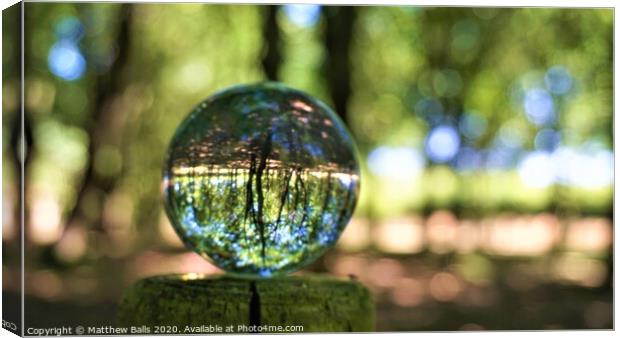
point(505, 235)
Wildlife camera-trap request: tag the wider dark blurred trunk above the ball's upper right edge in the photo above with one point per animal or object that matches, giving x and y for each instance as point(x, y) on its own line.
point(337, 68)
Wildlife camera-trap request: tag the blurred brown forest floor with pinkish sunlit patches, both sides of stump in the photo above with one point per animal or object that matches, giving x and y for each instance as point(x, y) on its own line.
point(431, 277)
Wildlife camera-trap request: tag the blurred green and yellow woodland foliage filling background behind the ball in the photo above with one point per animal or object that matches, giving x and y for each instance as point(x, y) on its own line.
point(105, 133)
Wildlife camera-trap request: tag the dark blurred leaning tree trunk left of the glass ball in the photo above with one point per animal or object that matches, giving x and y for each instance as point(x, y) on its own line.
point(109, 86)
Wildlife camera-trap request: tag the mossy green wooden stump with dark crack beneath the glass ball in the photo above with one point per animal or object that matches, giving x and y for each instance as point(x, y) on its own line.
point(318, 303)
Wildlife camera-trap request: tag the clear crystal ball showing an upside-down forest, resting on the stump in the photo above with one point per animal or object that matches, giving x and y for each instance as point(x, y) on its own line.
point(261, 179)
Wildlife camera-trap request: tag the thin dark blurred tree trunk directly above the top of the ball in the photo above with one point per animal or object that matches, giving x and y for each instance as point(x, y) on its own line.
point(272, 56)
